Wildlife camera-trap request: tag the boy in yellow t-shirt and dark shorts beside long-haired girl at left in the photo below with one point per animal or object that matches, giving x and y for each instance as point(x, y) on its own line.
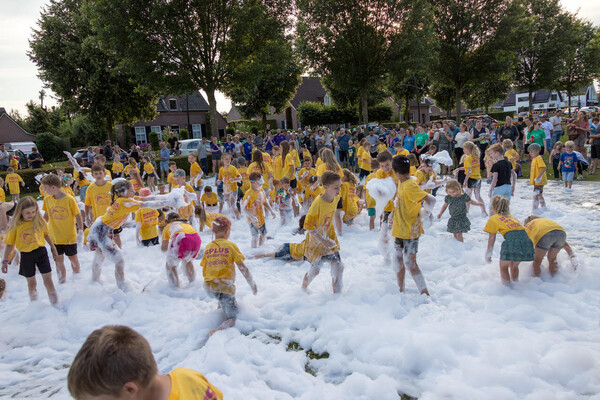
point(63, 216)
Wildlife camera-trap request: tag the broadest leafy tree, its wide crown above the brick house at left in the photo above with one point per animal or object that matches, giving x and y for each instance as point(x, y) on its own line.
point(181, 44)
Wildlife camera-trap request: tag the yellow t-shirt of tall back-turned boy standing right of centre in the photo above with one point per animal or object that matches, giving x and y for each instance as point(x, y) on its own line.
point(407, 224)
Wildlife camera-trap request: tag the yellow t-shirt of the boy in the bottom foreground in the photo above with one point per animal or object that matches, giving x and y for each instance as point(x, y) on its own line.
point(187, 384)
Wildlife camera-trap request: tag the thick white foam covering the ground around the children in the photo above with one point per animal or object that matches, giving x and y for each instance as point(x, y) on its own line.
point(473, 339)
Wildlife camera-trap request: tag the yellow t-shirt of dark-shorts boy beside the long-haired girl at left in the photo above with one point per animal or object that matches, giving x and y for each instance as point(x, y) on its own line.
point(61, 213)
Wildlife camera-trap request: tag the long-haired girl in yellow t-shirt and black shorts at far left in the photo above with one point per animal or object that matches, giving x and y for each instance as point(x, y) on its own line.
point(28, 232)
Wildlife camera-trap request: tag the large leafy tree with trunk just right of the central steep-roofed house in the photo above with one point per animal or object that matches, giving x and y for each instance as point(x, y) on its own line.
point(351, 42)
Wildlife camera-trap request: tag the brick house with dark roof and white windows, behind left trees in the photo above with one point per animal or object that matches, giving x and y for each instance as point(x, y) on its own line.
point(176, 112)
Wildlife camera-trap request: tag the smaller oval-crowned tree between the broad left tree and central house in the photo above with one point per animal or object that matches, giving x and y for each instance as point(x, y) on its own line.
point(269, 77)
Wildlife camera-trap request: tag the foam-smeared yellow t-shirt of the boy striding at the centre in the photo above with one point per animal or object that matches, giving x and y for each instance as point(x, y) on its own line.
point(320, 218)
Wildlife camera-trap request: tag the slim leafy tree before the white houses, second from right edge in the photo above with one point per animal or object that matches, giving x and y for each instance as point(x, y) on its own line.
point(540, 35)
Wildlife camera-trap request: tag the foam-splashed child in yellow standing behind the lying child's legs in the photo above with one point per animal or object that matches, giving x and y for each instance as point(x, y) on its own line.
point(253, 204)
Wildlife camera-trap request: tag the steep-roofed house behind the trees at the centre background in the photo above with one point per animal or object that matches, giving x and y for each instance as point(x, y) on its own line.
point(309, 90)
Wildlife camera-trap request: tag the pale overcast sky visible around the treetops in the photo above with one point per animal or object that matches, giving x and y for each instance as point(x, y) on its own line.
point(18, 76)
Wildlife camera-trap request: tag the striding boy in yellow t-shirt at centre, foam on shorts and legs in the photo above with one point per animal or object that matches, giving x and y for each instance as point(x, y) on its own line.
point(321, 243)
